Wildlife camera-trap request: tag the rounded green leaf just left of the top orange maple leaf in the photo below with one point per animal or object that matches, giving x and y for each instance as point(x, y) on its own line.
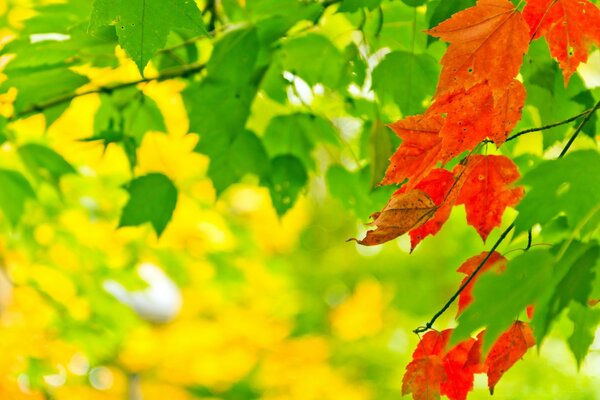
point(410, 87)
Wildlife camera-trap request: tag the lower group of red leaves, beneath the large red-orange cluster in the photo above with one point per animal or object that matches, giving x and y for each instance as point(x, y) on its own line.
point(436, 370)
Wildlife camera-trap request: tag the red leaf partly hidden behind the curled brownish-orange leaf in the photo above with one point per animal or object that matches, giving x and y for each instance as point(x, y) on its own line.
point(437, 185)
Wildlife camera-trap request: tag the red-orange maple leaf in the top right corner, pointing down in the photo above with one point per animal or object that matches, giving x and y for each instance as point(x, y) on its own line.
point(569, 26)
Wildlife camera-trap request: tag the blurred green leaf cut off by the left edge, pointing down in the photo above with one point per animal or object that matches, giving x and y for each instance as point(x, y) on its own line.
point(15, 191)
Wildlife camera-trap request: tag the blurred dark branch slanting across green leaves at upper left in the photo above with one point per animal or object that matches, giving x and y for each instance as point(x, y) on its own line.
point(184, 71)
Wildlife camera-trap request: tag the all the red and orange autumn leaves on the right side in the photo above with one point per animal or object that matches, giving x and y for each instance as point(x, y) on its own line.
point(478, 100)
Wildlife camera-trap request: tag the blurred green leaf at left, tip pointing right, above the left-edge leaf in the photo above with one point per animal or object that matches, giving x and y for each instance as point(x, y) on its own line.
point(43, 162)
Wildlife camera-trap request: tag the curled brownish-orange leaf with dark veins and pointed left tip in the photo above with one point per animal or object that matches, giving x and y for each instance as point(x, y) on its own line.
point(404, 211)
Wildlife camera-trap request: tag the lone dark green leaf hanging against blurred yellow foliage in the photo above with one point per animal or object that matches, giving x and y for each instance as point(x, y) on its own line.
point(152, 198)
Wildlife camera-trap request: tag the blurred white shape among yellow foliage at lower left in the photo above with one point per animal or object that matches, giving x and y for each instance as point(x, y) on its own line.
point(158, 303)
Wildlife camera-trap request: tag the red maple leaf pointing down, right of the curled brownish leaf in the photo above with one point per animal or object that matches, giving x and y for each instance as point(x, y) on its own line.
point(485, 190)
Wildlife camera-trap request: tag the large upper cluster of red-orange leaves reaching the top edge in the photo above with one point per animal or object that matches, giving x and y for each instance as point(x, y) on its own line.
point(477, 98)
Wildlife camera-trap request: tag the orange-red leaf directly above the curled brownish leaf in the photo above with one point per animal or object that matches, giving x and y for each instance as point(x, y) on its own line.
point(419, 151)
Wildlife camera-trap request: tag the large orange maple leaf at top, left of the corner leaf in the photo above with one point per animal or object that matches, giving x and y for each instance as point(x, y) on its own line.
point(487, 43)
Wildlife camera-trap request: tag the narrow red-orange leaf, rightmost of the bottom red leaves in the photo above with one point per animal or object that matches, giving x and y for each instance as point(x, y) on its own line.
point(508, 349)
